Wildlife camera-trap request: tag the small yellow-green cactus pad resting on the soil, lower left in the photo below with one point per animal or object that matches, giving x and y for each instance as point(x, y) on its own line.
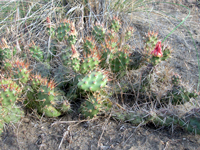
point(50, 111)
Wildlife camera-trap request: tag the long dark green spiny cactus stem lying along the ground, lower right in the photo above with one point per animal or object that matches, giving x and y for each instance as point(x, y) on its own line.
point(190, 123)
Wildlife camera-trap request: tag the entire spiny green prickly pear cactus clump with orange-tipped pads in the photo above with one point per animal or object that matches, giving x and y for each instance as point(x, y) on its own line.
point(103, 55)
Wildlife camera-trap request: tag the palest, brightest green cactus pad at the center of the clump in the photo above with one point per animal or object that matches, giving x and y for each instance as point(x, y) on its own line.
point(93, 81)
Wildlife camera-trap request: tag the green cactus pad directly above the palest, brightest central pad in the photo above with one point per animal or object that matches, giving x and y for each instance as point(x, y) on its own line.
point(89, 64)
